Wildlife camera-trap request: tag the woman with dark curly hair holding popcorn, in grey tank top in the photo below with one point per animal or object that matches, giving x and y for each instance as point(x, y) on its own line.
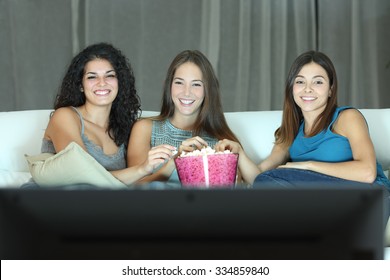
point(96, 108)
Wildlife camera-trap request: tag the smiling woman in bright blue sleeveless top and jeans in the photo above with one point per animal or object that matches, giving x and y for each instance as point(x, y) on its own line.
point(317, 140)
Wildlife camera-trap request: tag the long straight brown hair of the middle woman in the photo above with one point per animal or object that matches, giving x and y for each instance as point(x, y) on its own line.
point(211, 119)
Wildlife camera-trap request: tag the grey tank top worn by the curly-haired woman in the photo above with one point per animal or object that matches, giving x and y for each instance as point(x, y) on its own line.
point(115, 161)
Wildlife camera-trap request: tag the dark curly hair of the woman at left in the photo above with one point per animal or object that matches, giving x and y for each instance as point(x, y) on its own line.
point(125, 109)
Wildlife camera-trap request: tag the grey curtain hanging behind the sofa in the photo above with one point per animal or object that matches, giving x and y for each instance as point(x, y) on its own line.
point(251, 44)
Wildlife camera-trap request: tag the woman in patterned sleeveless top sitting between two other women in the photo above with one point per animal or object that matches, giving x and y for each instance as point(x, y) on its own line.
point(191, 115)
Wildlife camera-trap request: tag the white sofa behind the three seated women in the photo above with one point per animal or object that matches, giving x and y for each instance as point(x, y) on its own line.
point(22, 132)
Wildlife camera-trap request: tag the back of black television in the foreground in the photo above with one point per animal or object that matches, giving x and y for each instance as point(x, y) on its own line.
point(269, 223)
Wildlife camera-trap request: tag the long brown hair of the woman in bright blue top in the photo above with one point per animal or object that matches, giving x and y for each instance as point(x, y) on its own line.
point(292, 114)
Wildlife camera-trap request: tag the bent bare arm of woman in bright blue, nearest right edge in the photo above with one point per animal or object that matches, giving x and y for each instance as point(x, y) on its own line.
point(362, 168)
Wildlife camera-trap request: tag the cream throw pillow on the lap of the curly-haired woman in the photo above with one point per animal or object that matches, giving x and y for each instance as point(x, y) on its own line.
point(70, 166)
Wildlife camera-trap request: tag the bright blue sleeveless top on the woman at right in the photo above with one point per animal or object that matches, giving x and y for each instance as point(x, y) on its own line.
point(327, 146)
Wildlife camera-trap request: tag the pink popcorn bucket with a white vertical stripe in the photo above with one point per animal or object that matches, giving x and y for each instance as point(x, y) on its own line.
point(207, 171)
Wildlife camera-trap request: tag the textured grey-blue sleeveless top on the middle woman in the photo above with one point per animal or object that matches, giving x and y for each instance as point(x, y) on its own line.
point(164, 132)
